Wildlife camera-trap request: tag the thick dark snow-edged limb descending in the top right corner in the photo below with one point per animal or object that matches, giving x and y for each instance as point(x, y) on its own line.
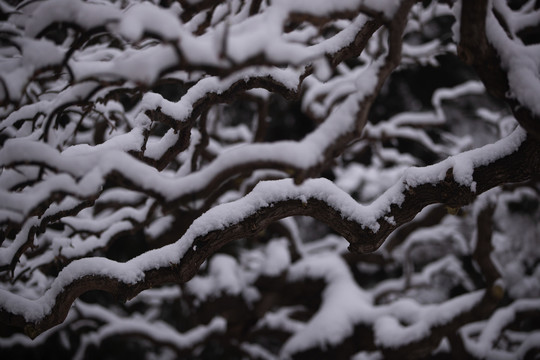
point(488, 32)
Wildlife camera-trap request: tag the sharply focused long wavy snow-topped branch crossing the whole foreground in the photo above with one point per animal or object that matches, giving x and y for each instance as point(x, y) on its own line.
point(365, 227)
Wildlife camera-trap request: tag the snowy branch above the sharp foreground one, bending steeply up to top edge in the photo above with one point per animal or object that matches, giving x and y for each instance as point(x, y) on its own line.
point(350, 120)
